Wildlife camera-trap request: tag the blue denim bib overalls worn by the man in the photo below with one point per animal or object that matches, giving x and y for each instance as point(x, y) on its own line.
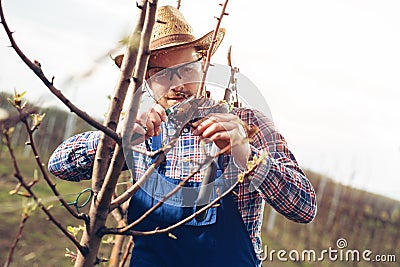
point(221, 239)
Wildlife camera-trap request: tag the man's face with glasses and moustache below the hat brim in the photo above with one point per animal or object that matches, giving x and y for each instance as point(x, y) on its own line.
point(174, 76)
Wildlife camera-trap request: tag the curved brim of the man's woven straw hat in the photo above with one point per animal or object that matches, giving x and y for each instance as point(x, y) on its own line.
point(203, 43)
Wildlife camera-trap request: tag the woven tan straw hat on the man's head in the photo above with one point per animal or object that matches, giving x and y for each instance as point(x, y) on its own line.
point(172, 31)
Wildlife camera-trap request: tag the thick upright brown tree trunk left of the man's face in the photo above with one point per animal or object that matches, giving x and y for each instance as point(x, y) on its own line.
point(105, 177)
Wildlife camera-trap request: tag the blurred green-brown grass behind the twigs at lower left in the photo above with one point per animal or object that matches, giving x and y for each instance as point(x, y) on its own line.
point(42, 244)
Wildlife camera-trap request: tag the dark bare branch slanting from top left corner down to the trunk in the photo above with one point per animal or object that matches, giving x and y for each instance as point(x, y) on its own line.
point(49, 84)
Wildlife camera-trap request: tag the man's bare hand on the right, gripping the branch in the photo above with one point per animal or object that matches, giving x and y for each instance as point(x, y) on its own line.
point(224, 130)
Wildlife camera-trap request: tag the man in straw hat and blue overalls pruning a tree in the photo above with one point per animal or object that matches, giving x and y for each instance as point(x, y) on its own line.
point(228, 234)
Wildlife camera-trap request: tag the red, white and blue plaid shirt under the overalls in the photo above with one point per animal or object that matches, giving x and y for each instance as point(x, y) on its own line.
point(279, 181)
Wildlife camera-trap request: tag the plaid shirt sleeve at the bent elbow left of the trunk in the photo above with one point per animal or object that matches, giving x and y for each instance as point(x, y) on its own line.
point(73, 159)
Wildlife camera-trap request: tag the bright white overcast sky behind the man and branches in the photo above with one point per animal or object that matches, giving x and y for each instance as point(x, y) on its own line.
point(329, 70)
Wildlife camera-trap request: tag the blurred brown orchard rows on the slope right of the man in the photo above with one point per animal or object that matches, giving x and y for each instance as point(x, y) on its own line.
point(360, 220)
